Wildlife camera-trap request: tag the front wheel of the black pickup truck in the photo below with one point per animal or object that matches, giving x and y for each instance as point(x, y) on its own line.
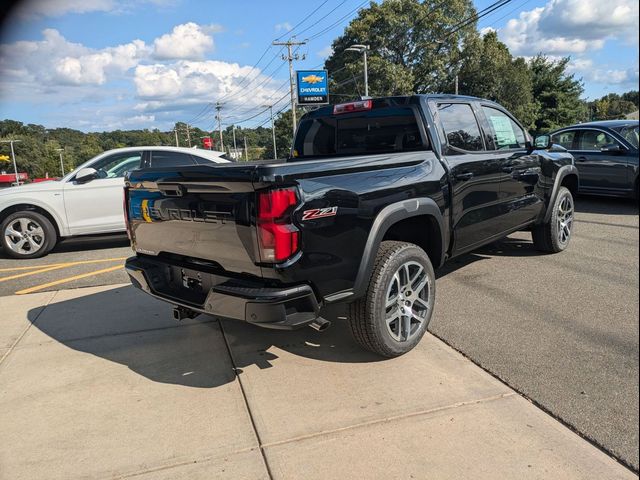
point(555, 235)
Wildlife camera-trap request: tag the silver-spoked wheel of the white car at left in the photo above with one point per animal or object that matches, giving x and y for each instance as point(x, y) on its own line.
point(40, 238)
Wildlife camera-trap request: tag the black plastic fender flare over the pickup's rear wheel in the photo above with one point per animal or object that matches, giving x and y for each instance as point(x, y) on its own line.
point(388, 216)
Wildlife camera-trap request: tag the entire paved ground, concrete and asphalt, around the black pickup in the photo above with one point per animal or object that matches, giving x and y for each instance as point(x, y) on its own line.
point(561, 329)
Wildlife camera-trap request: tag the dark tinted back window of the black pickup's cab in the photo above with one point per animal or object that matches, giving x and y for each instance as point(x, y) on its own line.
point(377, 131)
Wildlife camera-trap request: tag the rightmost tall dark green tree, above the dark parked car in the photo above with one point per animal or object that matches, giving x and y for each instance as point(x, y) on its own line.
point(556, 93)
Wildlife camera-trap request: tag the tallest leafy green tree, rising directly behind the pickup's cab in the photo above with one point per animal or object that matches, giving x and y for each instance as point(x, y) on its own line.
point(414, 48)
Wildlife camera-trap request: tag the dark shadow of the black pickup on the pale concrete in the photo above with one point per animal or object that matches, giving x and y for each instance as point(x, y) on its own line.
point(125, 326)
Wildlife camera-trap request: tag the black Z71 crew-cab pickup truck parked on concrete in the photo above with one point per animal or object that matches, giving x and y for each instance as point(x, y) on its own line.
point(375, 194)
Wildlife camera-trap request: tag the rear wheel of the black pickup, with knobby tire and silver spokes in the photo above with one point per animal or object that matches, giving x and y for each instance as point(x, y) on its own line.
point(400, 268)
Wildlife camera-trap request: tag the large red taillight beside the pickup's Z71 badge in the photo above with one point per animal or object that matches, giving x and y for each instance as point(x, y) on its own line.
point(277, 236)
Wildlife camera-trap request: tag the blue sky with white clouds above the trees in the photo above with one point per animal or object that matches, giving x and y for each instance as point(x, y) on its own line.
point(97, 65)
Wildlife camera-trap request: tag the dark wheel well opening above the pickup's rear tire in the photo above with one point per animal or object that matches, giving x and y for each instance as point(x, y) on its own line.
point(421, 230)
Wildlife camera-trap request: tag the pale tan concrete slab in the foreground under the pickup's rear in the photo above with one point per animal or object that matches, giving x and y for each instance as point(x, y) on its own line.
point(102, 383)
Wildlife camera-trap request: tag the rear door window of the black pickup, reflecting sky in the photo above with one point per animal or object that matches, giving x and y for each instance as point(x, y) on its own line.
point(460, 126)
